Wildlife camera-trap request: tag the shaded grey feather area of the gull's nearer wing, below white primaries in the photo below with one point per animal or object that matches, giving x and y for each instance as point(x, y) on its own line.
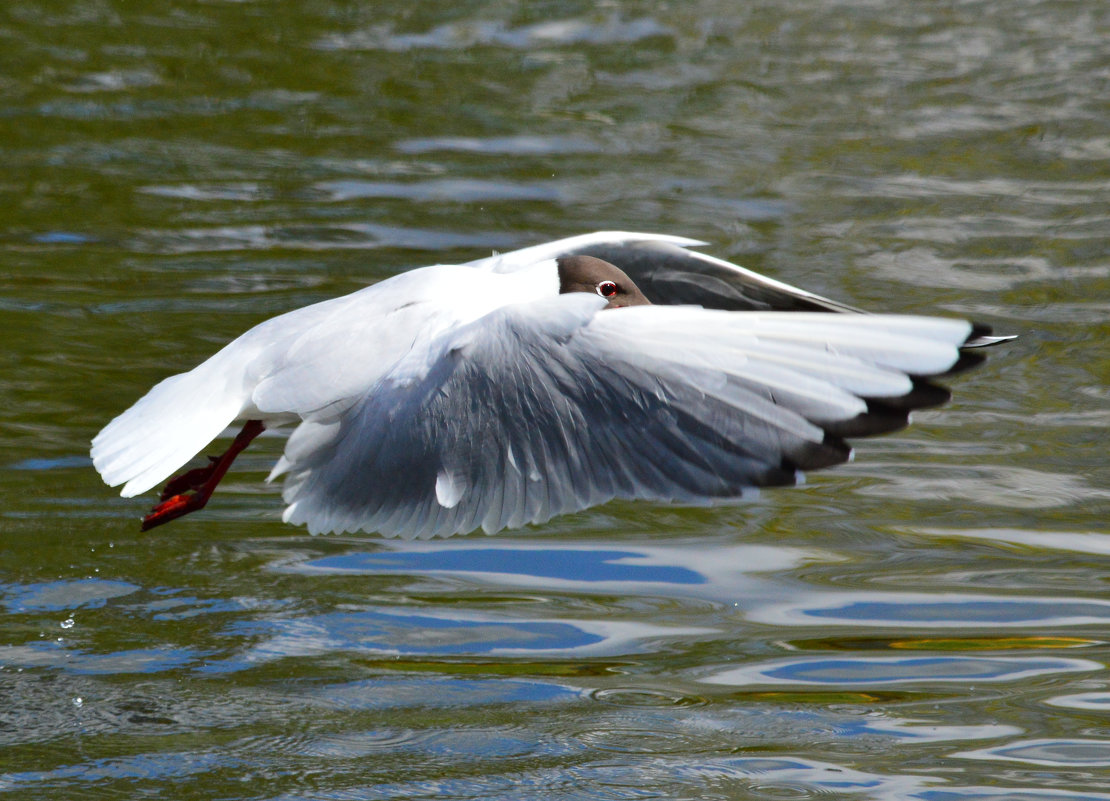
point(526, 415)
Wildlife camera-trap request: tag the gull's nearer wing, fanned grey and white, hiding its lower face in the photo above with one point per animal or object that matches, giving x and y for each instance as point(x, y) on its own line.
point(544, 409)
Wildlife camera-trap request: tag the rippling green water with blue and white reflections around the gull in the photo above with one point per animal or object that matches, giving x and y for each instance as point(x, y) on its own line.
point(926, 623)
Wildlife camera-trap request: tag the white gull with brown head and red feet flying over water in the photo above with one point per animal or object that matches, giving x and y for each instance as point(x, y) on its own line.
point(530, 384)
